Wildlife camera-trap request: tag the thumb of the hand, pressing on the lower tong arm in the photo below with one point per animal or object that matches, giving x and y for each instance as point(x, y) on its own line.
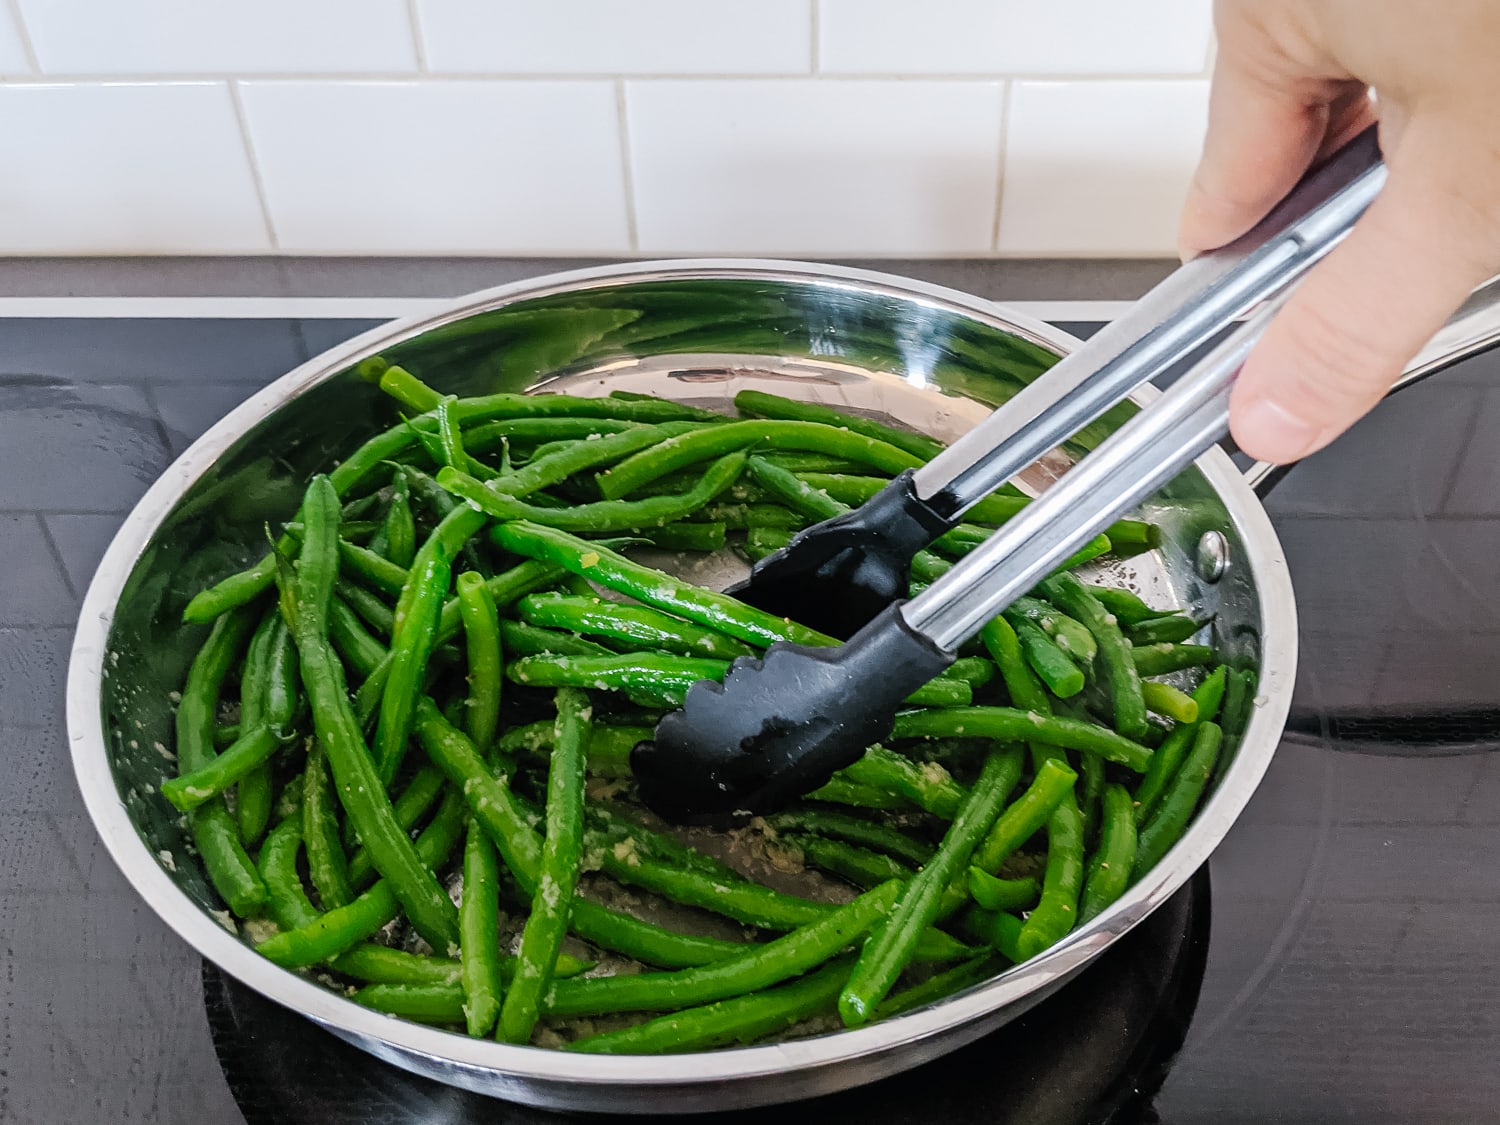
point(1343, 338)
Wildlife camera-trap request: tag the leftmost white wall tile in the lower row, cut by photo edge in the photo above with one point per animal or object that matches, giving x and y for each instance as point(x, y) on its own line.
point(122, 169)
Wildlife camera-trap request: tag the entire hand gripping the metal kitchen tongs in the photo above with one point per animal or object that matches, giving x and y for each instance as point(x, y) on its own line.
point(1292, 83)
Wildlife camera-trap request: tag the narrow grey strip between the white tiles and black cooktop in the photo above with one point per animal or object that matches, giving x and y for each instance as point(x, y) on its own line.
point(272, 277)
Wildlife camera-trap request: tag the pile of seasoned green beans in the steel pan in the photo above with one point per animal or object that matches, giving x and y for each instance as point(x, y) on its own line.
point(437, 677)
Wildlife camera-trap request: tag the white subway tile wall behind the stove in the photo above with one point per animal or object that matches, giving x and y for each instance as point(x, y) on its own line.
point(599, 127)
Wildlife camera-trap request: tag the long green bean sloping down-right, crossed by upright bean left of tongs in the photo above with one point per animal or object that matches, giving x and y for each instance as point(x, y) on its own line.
point(496, 809)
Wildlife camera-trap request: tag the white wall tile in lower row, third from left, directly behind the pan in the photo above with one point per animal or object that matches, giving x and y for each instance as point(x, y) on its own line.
point(806, 167)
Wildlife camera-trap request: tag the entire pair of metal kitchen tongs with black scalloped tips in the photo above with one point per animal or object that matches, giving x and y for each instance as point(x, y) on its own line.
point(779, 727)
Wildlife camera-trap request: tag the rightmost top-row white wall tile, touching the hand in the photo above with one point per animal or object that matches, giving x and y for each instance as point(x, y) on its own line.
point(1015, 37)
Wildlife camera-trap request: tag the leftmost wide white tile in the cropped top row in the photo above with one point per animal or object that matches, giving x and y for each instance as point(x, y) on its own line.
point(220, 37)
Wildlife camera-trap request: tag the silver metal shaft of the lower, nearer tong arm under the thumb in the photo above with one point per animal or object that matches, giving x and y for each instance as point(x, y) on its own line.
point(1148, 452)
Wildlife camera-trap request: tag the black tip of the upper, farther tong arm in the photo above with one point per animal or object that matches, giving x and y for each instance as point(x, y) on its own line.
point(839, 575)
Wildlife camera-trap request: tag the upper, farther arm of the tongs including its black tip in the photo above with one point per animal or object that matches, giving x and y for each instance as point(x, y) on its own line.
point(836, 577)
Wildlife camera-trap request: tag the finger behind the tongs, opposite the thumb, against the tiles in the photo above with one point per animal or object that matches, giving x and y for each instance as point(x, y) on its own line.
point(1265, 130)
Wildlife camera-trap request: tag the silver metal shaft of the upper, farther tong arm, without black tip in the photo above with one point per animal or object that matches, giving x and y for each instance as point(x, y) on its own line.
point(1178, 316)
